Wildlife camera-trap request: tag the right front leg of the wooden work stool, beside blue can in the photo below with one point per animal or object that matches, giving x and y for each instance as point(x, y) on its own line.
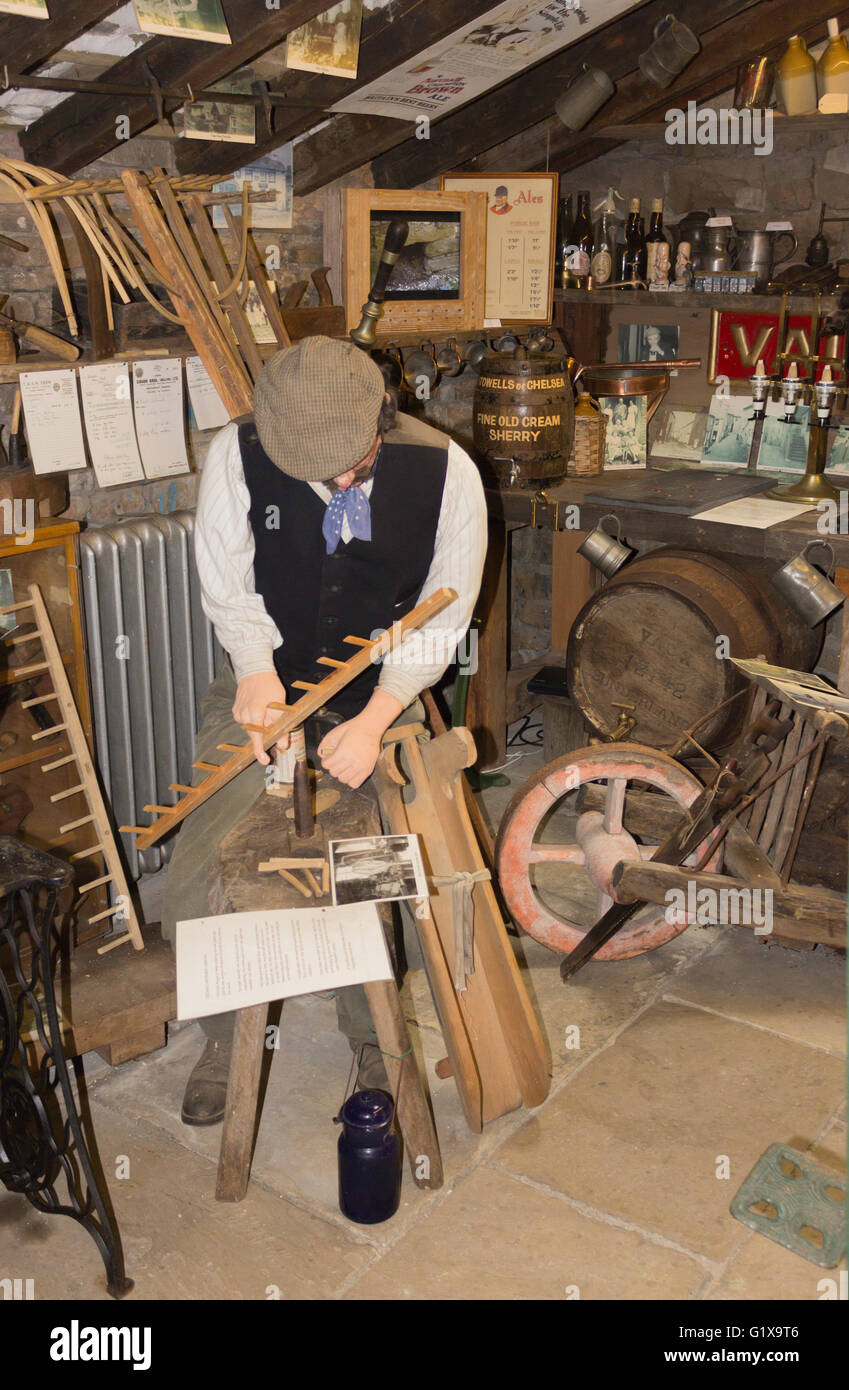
point(413, 1111)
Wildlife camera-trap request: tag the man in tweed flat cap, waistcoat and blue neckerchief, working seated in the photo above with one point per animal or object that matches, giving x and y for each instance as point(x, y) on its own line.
point(324, 515)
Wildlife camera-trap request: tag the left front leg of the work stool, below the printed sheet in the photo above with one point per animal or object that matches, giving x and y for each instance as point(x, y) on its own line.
point(242, 1099)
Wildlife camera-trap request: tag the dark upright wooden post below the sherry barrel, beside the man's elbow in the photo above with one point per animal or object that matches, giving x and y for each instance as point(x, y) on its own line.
point(487, 708)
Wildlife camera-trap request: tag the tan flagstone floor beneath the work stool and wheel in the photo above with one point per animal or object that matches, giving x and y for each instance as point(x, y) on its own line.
point(672, 1074)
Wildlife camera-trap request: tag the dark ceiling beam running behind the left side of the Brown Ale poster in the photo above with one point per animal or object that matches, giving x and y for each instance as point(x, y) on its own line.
point(390, 37)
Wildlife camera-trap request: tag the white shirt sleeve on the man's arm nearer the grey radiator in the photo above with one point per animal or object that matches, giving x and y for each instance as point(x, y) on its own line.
point(224, 553)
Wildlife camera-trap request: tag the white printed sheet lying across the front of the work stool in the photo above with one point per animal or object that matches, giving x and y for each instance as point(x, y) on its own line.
point(247, 958)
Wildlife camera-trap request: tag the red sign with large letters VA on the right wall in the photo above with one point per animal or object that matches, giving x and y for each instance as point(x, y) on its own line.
point(739, 341)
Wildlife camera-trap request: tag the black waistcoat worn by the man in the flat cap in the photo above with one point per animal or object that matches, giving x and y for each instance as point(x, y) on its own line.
point(318, 600)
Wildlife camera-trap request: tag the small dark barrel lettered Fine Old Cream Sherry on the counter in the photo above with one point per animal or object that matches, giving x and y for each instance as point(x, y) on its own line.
point(525, 418)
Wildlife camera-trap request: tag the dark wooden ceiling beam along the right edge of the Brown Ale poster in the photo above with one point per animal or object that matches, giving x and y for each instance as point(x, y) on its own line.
point(530, 98)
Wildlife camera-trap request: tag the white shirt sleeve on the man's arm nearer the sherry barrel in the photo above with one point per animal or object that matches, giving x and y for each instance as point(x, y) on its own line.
point(459, 554)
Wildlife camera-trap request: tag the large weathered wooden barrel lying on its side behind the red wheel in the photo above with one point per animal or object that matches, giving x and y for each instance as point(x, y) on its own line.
point(654, 639)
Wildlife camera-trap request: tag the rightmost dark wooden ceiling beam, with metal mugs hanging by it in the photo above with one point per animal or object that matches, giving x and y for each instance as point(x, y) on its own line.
point(714, 72)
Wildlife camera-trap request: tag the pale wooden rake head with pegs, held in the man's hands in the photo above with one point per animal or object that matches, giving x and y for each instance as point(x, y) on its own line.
point(219, 775)
